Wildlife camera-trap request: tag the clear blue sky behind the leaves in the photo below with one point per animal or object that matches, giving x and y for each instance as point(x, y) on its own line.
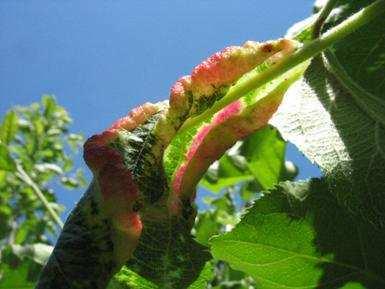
point(102, 58)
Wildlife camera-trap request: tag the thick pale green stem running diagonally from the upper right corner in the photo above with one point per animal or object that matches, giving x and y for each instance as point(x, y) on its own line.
point(256, 79)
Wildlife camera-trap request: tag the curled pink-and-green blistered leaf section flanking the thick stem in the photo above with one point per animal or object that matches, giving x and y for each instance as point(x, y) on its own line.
point(204, 138)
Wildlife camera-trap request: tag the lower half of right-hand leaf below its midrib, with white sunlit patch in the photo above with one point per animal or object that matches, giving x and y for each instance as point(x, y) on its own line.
point(320, 118)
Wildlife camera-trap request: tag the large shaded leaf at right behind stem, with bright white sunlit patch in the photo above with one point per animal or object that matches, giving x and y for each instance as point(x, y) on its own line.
point(336, 115)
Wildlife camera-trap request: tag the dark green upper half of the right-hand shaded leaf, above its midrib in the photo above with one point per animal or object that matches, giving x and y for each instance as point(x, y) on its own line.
point(359, 60)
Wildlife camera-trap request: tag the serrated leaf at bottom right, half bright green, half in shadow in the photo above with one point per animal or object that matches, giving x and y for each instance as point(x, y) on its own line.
point(298, 236)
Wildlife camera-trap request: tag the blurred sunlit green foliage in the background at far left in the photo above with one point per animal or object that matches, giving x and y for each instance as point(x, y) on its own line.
point(36, 151)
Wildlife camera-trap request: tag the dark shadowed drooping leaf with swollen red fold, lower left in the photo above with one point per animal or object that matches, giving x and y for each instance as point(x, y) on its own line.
point(105, 231)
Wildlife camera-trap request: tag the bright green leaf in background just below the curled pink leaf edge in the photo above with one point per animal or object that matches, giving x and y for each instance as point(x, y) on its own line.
point(260, 157)
